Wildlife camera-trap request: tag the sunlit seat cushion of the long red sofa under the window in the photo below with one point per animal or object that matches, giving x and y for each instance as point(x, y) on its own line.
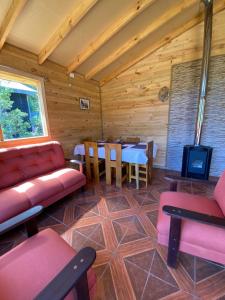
point(24, 195)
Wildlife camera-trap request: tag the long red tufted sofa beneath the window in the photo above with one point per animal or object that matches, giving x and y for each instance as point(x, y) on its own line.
point(32, 175)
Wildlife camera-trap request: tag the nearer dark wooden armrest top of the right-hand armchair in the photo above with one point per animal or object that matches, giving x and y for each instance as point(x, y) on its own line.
point(181, 213)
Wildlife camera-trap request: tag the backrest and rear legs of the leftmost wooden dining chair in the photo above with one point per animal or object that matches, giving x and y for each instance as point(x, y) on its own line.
point(91, 158)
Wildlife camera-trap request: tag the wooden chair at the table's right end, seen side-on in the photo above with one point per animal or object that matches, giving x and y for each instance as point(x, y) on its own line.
point(143, 172)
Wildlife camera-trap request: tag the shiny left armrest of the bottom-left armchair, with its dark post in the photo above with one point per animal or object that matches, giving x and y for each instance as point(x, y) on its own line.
point(27, 217)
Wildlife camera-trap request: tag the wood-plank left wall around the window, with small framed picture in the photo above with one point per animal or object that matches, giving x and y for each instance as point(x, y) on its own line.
point(68, 124)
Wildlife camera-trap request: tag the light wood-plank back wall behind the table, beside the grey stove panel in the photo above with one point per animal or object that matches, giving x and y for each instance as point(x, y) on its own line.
point(130, 104)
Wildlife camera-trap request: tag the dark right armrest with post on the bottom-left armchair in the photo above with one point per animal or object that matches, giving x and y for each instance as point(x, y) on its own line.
point(73, 275)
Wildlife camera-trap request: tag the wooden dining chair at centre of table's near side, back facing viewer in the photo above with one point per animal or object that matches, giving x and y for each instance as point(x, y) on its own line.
point(116, 164)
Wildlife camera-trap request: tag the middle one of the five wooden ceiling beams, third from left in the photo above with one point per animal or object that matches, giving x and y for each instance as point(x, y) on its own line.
point(109, 33)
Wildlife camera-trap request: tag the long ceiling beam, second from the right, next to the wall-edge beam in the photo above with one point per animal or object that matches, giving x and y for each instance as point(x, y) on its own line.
point(137, 38)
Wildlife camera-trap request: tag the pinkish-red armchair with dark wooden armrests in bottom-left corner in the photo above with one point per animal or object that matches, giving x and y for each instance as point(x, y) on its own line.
point(44, 266)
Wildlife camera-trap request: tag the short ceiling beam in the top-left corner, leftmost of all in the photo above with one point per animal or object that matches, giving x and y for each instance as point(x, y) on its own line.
point(13, 12)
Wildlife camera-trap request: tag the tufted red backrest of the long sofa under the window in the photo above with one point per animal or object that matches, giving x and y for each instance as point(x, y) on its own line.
point(21, 163)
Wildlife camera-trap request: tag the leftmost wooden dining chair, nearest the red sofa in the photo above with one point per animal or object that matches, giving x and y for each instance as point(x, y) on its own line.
point(93, 162)
